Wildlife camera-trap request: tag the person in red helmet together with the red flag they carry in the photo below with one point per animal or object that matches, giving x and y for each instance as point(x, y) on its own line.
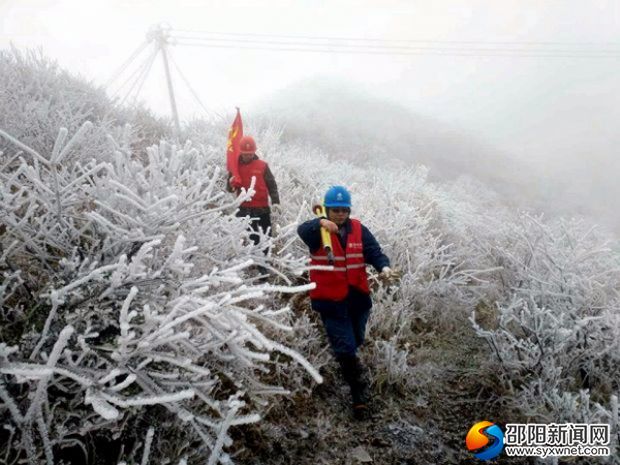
point(243, 164)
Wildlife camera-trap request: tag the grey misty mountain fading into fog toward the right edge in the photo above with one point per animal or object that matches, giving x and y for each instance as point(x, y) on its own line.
point(347, 123)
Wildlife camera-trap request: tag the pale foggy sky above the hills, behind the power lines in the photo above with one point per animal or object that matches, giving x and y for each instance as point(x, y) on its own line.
point(560, 114)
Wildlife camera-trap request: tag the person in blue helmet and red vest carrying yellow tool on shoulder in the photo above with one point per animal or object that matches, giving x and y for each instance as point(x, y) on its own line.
point(342, 295)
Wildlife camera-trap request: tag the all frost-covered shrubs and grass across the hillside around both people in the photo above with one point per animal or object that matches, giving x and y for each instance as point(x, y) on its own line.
point(132, 314)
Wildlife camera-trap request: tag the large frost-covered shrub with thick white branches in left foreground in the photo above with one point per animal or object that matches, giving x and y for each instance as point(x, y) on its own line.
point(128, 293)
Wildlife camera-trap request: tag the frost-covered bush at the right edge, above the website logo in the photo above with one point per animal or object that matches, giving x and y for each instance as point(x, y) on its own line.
point(557, 326)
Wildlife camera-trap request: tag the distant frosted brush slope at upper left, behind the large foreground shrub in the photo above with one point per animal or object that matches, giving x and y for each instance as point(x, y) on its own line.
point(38, 98)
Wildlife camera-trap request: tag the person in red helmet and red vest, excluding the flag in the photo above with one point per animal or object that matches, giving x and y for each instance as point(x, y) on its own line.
point(265, 186)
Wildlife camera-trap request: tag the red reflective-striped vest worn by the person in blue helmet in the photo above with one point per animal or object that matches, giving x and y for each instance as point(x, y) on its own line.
point(349, 268)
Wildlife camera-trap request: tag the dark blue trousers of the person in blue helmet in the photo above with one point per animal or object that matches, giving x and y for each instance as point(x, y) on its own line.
point(345, 326)
